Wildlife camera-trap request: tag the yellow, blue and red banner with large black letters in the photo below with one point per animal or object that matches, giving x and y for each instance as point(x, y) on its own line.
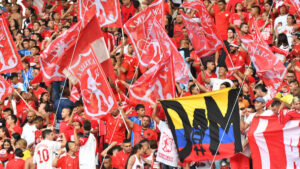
point(199, 122)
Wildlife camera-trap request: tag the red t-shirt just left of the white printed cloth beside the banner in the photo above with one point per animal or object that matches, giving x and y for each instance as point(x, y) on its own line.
point(141, 134)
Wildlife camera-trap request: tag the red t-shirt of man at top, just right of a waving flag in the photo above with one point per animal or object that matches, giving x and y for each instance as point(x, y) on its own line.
point(222, 23)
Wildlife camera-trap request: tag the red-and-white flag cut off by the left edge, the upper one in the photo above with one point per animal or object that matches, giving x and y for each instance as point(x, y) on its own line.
point(10, 60)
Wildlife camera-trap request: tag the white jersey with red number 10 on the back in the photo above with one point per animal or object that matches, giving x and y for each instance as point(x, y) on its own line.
point(44, 153)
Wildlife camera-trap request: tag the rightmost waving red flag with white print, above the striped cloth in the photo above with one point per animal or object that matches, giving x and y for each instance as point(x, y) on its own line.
point(268, 67)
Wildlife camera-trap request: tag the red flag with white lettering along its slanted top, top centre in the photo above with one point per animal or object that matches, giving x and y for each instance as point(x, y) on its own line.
point(140, 31)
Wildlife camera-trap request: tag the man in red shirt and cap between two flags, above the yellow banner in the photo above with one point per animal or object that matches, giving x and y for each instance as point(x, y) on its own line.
point(236, 60)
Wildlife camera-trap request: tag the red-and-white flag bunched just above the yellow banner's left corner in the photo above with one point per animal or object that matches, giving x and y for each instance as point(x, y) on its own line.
point(156, 83)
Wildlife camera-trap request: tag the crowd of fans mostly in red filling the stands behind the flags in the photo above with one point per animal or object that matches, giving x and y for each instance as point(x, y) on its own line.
point(53, 130)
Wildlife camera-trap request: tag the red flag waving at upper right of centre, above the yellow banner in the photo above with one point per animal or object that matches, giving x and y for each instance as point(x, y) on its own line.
point(203, 42)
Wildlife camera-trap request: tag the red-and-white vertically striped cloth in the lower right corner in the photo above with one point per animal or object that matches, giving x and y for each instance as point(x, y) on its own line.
point(267, 153)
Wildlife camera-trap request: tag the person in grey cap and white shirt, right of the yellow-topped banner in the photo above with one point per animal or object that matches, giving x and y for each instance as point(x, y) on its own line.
point(259, 105)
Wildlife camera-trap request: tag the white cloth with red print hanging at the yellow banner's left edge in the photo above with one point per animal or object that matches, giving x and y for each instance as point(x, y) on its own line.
point(167, 151)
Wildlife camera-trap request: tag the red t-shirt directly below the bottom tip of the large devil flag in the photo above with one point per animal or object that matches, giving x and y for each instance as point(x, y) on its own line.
point(114, 123)
